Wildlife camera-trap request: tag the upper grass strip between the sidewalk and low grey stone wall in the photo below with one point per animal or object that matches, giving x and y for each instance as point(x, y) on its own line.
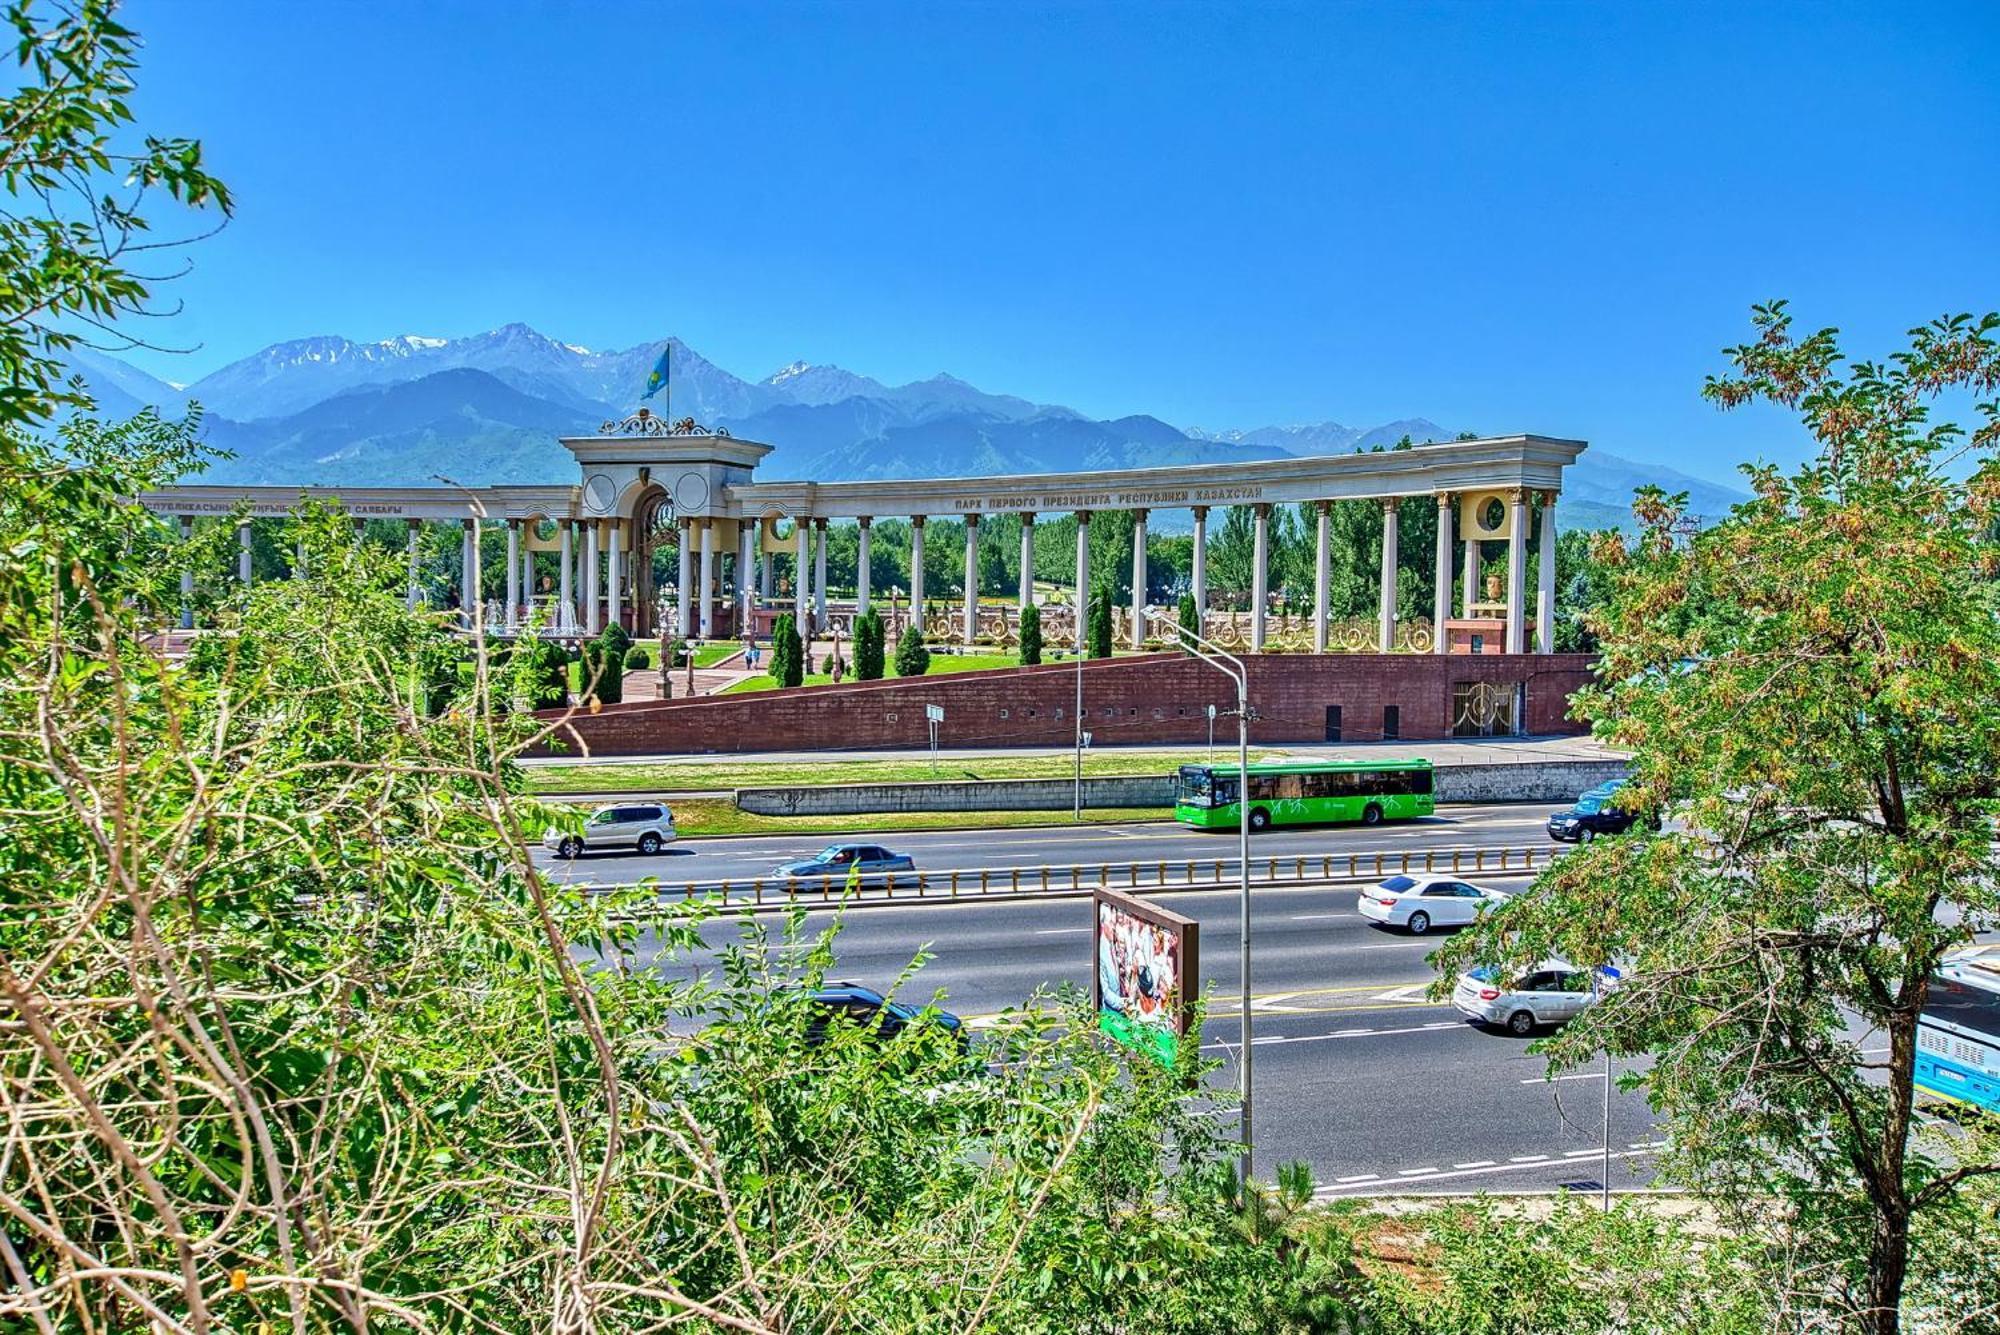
point(729, 774)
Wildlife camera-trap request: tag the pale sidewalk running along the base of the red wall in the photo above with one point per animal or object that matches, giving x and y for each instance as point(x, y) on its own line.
point(1457, 752)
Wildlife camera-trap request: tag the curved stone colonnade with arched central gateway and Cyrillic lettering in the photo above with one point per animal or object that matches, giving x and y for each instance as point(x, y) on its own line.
point(645, 483)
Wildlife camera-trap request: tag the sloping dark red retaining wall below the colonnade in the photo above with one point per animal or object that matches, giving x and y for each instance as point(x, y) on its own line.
point(1127, 700)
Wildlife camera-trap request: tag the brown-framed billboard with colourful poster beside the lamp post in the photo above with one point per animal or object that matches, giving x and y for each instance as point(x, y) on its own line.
point(1147, 962)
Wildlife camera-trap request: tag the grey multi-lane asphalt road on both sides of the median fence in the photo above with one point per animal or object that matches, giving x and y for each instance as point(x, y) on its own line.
point(1357, 1072)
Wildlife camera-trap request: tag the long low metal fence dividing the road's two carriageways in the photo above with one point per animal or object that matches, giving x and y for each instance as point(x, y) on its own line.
point(1155, 874)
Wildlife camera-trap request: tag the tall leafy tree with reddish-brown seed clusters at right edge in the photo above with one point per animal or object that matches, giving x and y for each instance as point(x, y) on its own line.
point(1809, 688)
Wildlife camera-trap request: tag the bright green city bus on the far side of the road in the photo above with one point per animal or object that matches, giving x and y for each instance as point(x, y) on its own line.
point(1307, 794)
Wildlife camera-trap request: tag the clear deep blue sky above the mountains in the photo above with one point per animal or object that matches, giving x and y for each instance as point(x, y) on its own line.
point(1499, 217)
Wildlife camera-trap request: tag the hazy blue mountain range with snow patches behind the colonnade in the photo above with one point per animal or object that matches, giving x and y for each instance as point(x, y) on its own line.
point(489, 409)
